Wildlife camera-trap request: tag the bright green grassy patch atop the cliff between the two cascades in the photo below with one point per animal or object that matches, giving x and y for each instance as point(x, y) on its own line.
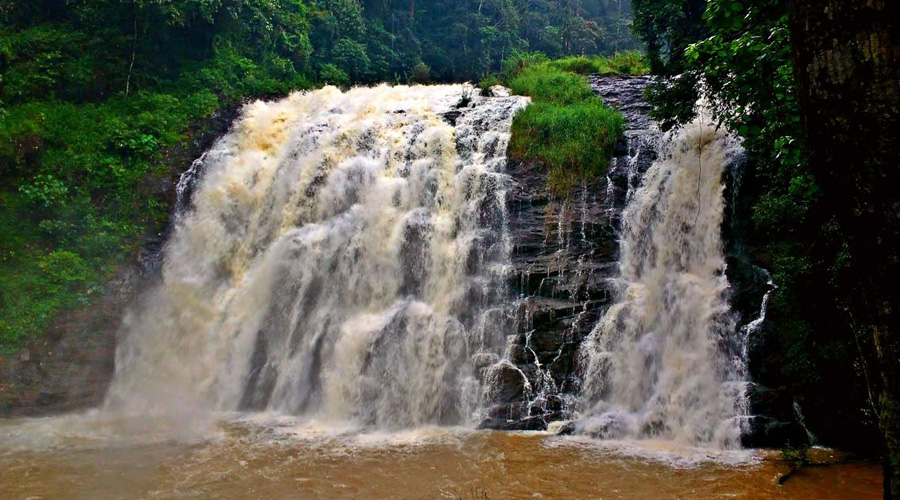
point(567, 128)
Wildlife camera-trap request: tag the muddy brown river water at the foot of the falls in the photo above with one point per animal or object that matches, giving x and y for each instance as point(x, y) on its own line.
point(277, 457)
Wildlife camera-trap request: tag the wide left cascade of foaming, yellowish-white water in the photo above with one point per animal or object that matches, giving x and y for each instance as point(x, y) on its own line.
point(342, 255)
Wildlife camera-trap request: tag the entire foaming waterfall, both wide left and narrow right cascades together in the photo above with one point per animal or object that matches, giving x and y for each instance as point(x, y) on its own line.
point(346, 256)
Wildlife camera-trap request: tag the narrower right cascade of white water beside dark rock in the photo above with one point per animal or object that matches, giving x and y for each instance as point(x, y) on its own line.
point(665, 361)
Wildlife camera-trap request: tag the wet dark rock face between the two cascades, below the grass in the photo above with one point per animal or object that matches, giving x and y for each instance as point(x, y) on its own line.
point(565, 252)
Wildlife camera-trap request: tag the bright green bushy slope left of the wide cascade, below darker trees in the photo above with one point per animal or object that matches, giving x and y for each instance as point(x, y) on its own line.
point(77, 197)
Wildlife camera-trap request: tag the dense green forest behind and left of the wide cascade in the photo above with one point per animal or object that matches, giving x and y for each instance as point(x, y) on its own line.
point(100, 100)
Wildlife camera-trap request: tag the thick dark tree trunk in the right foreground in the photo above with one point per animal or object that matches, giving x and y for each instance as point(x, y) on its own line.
point(847, 54)
